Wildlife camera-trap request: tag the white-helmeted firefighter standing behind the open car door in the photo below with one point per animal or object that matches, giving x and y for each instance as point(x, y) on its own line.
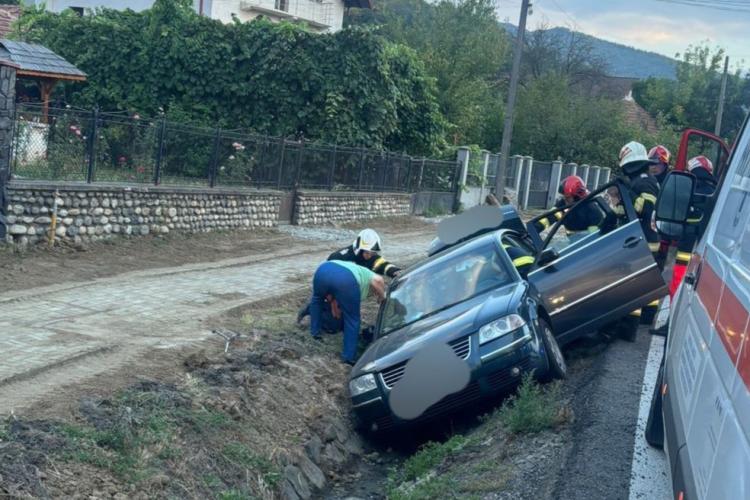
point(644, 190)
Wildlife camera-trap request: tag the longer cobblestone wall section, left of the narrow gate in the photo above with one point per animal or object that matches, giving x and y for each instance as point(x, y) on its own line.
point(91, 212)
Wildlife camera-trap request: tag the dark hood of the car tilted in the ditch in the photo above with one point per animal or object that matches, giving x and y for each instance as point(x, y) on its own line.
point(453, 323)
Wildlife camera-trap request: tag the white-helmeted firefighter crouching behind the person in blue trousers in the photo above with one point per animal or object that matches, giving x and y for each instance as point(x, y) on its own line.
point(365, 252)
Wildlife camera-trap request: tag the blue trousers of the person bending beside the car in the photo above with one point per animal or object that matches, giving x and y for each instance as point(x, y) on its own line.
point(339, 282)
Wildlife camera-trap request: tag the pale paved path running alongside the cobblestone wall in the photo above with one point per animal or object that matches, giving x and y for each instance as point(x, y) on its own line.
point(74, 332)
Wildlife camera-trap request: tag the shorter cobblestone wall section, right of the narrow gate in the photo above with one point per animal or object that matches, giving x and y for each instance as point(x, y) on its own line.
point(320, 207)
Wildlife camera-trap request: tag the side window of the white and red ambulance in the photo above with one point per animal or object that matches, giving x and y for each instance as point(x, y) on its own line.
point(734, 214)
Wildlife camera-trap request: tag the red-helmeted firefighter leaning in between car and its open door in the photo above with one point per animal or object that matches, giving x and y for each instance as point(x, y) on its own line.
point(586, 218)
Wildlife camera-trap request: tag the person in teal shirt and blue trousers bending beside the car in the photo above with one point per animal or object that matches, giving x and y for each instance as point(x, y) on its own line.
point(345, 286)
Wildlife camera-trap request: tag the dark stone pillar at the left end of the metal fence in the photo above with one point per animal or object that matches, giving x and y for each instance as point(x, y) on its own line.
point(7, 117)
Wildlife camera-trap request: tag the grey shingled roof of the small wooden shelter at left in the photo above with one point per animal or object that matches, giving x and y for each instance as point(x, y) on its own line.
point(36, 60)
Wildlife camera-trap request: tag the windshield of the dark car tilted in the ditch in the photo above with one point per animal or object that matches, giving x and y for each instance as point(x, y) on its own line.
point(452, 279)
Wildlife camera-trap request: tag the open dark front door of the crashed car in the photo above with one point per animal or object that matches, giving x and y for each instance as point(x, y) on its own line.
point(598, 278)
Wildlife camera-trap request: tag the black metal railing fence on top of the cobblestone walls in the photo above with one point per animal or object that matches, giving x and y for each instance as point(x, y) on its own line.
point(93, 146)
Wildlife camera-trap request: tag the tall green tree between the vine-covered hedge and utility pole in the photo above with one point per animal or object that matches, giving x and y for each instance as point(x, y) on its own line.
point(463, 47)
